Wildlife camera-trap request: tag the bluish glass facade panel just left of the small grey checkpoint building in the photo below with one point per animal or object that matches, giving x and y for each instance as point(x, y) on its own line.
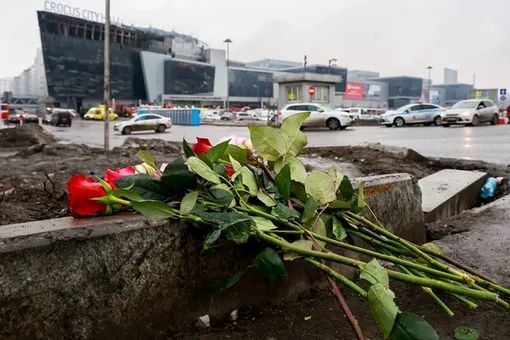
point(244, 83)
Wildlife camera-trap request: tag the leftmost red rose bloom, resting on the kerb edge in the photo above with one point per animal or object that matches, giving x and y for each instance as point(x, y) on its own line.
point(81, 191)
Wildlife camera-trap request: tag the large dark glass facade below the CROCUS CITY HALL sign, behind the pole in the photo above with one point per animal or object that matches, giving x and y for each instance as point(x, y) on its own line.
point(74, 67)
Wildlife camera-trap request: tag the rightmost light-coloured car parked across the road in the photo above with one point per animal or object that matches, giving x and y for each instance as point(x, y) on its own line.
point(471, 112)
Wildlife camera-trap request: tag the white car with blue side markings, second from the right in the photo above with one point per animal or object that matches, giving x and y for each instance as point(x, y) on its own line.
point(416, 113)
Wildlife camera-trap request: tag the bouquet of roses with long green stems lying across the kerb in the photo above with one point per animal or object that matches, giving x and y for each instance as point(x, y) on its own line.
point(240, 189)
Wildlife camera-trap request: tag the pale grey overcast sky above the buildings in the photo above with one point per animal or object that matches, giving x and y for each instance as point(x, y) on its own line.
point(393, 37)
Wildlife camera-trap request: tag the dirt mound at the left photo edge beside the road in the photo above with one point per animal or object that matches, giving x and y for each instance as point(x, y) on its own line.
point(23, 136)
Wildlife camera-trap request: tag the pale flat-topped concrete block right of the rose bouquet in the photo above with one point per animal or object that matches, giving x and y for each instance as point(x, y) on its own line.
point(449, 192)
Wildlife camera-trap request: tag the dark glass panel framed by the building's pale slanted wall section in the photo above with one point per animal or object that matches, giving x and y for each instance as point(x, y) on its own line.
point(188, 78)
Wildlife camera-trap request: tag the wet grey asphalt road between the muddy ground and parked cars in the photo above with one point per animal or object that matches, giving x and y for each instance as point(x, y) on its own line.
point(485, 142)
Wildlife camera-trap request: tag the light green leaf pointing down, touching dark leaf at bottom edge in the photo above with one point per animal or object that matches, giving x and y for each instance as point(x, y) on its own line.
point(383, 308)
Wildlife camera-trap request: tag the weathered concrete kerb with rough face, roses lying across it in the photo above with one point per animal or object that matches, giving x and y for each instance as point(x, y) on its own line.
point(125, 277)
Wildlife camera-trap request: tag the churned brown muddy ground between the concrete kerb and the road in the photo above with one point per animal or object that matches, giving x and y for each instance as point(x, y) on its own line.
point(34, 179)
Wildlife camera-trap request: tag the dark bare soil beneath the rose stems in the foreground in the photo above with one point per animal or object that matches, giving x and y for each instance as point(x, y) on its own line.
point(287, 322)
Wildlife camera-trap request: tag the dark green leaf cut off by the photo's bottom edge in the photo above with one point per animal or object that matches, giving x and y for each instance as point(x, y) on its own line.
point(411, 327)
